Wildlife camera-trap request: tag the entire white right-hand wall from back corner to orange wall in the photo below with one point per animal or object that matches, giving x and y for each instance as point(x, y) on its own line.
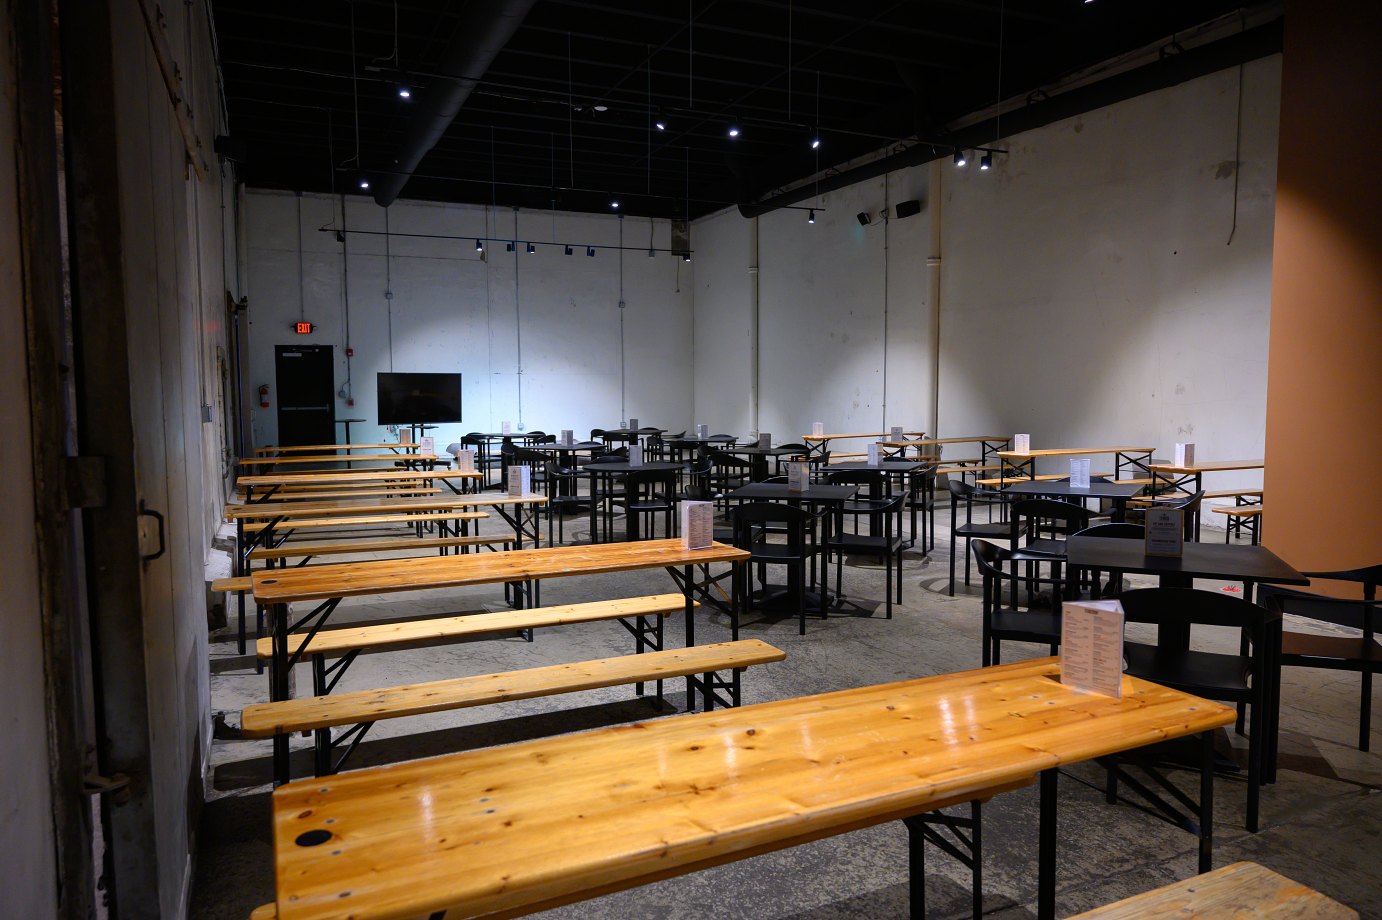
point(1088, 291)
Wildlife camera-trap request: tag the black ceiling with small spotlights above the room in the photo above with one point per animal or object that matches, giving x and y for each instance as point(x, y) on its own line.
point(313, 89)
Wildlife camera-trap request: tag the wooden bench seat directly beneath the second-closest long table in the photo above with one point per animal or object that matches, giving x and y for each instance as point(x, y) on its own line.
point(411, 633)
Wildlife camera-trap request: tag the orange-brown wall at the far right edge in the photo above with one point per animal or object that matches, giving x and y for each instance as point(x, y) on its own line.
point(1325, 370)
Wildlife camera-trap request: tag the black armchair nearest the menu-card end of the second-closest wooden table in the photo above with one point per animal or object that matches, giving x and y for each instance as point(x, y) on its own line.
point(775, 535)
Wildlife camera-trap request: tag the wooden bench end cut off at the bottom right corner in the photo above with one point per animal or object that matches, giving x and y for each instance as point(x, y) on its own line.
point(1238, 892)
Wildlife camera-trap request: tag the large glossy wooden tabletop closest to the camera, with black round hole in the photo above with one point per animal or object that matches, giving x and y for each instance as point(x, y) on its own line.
point(541, 824)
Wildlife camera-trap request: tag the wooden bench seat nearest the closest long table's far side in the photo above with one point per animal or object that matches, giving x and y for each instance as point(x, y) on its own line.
point(262, 720)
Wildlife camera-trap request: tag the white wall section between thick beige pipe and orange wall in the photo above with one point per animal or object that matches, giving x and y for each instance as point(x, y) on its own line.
point(1090, 291)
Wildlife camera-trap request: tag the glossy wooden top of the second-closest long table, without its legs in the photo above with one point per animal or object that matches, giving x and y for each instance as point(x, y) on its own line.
point(381, 577)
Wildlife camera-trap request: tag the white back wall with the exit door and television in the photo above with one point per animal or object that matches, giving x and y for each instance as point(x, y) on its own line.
point(454, 312)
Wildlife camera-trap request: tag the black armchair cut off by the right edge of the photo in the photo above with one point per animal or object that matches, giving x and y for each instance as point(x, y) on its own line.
point(1362, 653)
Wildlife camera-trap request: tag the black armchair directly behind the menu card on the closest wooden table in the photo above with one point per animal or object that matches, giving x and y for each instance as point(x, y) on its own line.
point(1249, 679)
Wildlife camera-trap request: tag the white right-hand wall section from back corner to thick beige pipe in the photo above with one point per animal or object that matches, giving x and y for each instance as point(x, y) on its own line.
point(830, 295)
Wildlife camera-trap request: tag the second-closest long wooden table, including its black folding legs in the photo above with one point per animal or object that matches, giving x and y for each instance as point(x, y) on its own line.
point(331, 584)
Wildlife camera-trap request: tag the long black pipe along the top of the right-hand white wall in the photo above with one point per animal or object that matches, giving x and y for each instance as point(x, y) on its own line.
point(1177, 68)
